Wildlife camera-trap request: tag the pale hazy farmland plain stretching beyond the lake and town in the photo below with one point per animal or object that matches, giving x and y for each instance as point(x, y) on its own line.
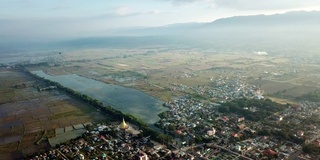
point(160, 71)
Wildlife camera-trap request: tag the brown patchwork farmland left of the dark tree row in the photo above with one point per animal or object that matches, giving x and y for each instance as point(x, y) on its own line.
point(28, 117)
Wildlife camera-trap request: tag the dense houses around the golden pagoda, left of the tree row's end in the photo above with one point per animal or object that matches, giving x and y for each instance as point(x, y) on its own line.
point(113, 141)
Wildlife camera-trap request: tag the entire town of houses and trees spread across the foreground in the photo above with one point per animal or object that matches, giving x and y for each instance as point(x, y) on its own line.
point(223, 129)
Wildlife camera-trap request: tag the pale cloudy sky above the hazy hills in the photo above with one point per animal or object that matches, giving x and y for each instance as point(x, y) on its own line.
point(21, 19)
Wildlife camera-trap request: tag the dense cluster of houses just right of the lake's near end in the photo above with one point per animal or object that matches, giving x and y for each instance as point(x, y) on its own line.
point(189, 118)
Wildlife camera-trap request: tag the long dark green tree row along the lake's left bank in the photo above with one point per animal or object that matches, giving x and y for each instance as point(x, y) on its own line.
point(108, 110)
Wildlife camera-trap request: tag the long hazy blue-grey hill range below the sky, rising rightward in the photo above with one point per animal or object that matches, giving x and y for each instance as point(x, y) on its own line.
point(279, 33)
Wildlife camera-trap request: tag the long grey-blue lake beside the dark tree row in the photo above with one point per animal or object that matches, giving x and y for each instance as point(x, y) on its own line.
point(127, 100)
